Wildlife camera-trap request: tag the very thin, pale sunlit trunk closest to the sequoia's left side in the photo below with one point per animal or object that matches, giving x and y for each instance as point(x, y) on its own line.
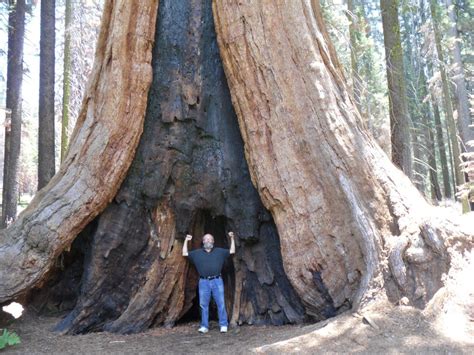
point(66, 80)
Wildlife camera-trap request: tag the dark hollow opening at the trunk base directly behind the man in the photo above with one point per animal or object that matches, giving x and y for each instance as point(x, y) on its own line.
point(204, 222)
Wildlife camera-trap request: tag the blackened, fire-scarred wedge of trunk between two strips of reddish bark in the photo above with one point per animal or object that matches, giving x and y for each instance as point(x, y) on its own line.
point(189, 174)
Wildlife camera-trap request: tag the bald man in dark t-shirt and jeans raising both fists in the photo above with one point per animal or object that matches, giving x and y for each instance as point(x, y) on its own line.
point(209, 262)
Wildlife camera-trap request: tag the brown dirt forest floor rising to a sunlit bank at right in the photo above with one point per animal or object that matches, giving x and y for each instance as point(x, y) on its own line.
point(445, 326)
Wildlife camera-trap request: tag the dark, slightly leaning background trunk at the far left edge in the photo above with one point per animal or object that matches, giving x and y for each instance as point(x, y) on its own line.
point(16, 35)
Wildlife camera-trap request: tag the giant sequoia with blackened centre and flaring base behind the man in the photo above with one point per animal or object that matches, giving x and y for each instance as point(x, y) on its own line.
point(324, 219)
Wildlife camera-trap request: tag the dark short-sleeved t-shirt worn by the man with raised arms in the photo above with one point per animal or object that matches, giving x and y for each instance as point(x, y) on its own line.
point(209, 264)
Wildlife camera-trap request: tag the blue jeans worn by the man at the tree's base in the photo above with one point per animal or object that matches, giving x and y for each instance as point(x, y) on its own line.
point(214, 287)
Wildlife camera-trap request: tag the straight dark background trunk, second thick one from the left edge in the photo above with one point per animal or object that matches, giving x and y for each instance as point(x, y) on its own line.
point(46, 146)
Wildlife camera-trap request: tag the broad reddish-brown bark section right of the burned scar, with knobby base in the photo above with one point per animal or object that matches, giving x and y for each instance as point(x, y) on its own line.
point(350, 223)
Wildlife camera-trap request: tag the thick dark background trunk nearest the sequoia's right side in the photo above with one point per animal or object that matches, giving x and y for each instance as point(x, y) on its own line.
point(400, 122)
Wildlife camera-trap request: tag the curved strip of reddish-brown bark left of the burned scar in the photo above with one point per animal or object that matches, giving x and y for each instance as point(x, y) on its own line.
point(102, 147)
